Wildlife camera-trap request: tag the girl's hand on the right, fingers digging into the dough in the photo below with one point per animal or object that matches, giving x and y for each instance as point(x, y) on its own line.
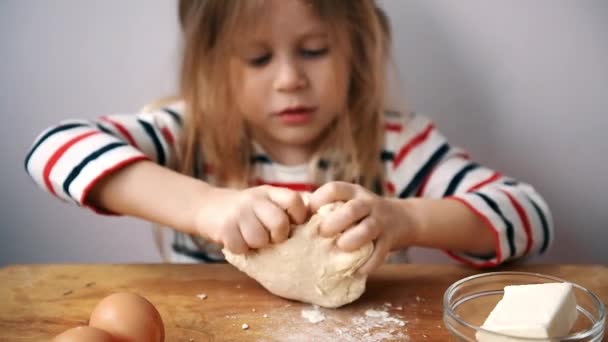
point(363, 218)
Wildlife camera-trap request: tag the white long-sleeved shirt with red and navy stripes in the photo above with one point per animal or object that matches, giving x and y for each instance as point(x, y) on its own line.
point(66, 160)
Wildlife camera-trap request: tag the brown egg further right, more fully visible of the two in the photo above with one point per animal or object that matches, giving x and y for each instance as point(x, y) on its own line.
point(129, 318)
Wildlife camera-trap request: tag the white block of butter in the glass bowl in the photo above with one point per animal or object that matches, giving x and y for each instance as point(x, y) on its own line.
point(536, 310)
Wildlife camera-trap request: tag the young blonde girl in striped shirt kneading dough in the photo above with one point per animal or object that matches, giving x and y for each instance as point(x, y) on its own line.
point(279, 97)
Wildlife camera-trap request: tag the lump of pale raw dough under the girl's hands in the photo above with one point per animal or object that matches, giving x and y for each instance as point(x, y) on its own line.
point(307, 267)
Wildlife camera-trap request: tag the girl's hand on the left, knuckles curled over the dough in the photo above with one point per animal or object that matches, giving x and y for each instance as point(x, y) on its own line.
point(249, 219)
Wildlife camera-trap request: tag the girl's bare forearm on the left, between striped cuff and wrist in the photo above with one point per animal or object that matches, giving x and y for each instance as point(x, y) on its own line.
point(153, 193)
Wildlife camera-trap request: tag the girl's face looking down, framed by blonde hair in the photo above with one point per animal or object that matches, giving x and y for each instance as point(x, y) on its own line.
point(292, 83)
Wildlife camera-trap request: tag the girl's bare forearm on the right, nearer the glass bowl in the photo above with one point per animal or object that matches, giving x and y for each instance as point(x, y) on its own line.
point(443, 224)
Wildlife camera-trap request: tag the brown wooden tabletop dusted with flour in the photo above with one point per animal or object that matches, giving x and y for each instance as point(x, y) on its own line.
point(39, 301)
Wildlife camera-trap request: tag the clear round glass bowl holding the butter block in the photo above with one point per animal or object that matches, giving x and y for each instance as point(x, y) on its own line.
point(468, 302)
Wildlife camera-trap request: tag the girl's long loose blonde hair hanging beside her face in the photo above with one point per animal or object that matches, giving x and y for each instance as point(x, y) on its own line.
point(352, 144)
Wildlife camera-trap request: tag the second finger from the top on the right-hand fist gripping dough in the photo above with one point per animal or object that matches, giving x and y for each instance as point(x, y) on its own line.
point(344, 217)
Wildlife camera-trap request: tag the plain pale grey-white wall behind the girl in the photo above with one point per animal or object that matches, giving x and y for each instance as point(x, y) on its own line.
point(522, 85)
